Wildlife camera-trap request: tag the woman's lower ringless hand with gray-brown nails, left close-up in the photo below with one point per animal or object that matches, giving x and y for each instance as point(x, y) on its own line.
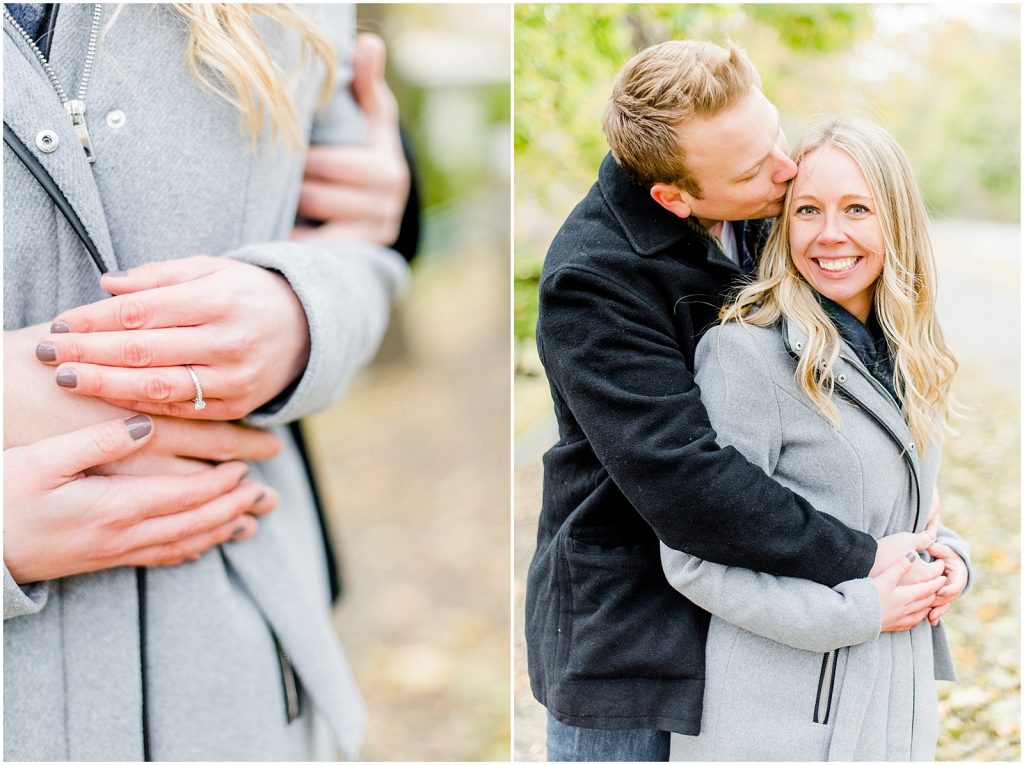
point(59, 521)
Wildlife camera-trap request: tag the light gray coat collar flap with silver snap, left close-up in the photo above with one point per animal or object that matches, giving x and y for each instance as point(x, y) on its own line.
point(30, 107)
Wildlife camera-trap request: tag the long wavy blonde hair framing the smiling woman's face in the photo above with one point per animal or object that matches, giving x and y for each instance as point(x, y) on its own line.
point(905, 293)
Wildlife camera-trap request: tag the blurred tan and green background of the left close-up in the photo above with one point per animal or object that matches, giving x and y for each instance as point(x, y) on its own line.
point(414, 462)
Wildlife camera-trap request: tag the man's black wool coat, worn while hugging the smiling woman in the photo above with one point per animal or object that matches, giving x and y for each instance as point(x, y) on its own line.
point(626, 293)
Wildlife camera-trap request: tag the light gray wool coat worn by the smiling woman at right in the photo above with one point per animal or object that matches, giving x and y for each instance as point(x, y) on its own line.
point(796, 670)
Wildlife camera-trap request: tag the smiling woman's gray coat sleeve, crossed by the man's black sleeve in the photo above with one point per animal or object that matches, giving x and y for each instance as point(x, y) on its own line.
point(737, 387)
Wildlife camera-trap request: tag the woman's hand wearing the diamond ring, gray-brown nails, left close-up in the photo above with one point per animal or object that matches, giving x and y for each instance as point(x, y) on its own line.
point(241, 328)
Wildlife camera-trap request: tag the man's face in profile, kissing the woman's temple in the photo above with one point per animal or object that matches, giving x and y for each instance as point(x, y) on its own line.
point(741, 161)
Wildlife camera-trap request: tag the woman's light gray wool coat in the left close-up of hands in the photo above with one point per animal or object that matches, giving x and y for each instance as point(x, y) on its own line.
point(178, 179)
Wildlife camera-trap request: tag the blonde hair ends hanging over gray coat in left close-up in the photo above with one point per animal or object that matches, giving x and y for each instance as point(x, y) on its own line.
point(227, 55)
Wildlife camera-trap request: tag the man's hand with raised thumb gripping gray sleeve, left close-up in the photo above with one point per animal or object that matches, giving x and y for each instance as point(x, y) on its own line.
point(360, 192)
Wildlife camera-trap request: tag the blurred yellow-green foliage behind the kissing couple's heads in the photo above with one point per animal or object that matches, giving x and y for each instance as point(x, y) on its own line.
point(949, 90)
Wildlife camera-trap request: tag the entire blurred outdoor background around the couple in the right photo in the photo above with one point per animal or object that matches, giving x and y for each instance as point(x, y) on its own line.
point(946, 80)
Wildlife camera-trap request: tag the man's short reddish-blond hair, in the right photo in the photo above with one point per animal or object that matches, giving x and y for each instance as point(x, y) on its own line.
point(663, 88)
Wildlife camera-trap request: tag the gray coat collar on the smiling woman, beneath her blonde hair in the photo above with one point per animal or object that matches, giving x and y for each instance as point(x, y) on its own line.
point(854, 379)
